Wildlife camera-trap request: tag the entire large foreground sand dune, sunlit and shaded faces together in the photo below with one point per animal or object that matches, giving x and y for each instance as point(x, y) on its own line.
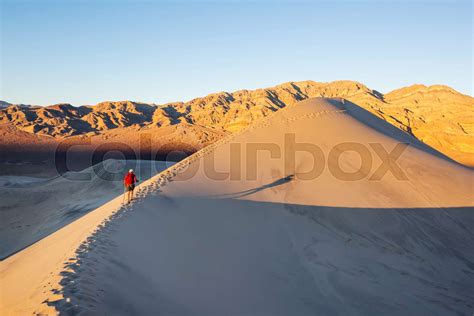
point(275, 245)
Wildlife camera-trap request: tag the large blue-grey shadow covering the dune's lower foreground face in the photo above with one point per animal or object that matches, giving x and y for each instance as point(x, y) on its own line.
point(198, 256)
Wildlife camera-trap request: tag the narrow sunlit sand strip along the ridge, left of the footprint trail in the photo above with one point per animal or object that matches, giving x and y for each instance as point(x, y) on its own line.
point(33, 277)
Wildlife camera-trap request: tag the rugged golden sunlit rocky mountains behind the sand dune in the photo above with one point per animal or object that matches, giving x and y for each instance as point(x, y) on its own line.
point(437, 115)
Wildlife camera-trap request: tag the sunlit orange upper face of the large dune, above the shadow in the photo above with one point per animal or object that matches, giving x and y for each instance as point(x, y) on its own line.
point(349, 146)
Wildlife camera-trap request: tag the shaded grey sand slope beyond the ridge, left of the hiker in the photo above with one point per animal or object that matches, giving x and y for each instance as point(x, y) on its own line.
point(53, 203)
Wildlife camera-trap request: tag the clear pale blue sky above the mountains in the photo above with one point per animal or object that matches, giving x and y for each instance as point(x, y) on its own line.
point(84, 52)
